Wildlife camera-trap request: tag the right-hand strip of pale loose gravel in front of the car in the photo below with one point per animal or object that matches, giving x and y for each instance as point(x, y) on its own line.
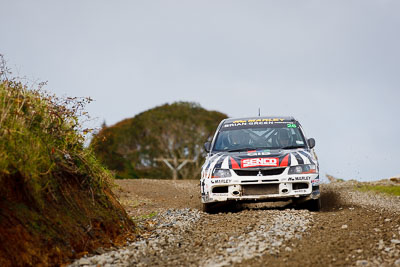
point(267, 231)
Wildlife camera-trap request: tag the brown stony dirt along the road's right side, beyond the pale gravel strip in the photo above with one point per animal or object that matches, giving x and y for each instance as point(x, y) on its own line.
point(354, 229)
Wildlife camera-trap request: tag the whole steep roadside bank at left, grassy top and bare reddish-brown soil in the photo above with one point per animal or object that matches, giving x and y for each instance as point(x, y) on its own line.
point(55, 201)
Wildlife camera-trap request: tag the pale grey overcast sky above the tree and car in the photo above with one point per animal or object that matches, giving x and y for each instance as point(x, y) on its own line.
point(333, 65)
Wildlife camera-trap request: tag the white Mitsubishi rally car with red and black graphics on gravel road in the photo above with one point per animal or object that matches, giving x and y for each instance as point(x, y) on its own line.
point(260, 159)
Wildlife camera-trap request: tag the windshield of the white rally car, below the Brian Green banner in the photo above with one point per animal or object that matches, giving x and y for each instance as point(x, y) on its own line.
point(253, 138)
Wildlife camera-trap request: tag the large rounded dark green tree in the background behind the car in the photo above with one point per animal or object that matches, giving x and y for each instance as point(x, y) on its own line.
point(133, 147)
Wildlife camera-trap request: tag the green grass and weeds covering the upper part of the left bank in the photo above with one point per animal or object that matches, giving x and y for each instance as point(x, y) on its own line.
point(41, 138)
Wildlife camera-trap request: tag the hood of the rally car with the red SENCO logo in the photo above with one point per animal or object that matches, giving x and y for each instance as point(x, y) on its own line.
point(259, 159)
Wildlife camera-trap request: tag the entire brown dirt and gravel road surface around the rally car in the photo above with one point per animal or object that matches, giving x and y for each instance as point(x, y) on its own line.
point(353, 229)
